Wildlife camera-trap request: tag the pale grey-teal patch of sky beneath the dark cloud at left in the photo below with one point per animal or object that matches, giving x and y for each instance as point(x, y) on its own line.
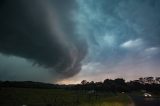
point(16, 68)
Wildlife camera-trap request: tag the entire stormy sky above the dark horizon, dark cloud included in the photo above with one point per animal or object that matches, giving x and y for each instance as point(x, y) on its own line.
point(67, 41)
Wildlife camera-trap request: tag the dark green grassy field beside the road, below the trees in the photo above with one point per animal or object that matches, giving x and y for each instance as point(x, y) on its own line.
point(59, 97)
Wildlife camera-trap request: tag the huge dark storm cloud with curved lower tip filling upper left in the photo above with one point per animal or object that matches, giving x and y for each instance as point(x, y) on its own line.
point(41, 31)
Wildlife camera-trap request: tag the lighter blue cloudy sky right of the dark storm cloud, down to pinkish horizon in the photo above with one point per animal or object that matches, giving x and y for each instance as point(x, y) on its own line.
point(123, 38)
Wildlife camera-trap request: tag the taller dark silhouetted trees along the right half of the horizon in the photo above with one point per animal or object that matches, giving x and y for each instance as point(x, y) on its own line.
point(116, 85)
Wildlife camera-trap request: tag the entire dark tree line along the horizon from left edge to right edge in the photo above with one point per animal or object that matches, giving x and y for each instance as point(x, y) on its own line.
point(116, 85)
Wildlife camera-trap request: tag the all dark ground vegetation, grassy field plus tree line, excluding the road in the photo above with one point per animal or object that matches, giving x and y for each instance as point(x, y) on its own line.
point(106, 93)
